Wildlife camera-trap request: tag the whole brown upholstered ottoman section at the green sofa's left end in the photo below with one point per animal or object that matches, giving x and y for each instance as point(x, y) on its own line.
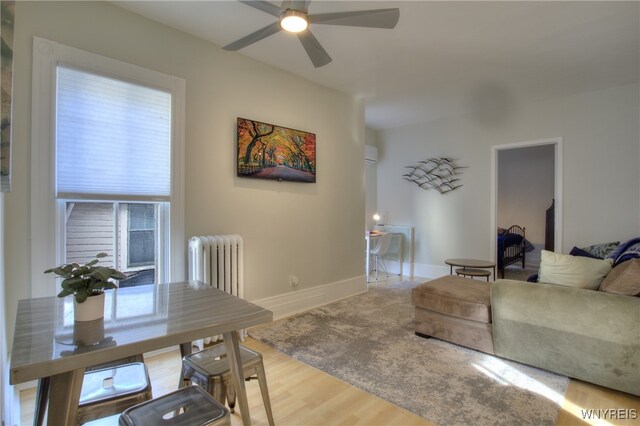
point(455, 309)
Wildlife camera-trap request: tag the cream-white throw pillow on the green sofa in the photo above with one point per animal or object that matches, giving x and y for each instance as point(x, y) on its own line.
point(572, 271)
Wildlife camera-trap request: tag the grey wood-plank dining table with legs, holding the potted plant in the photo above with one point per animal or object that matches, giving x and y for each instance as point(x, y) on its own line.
point(48, 344)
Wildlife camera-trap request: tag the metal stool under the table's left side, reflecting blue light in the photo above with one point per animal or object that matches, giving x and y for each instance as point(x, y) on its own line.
point(111, 390)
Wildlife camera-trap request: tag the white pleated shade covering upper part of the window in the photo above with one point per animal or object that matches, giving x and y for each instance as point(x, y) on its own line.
point(113, 138)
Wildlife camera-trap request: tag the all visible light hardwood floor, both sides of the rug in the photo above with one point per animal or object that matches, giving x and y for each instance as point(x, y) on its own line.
point(303, 395)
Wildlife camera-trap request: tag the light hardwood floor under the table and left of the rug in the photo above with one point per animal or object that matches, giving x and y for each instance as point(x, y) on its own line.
point(300, 394)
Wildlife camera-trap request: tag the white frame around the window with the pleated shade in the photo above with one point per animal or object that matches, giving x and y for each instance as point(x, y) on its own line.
point(47, 229)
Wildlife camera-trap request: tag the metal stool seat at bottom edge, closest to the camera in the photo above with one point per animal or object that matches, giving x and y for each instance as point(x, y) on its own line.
point(187, 406)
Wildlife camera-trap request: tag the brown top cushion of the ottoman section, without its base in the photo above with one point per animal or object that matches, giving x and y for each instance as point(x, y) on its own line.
point(455, 296)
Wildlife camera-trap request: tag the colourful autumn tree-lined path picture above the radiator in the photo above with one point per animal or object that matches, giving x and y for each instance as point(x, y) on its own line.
point(267, 151)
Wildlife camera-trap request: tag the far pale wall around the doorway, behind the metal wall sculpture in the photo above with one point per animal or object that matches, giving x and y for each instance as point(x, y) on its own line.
point(601, 173)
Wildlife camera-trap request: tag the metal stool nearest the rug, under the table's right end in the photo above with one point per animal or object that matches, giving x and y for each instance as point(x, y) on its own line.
point(209, 369)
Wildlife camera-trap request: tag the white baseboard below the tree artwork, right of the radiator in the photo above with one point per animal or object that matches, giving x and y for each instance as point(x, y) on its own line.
point(287, 304)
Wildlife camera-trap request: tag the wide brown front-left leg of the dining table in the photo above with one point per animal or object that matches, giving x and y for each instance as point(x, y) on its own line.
point(63, 398)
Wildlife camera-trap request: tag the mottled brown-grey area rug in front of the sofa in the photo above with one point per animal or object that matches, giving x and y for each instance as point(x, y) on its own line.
point(368, 341)
